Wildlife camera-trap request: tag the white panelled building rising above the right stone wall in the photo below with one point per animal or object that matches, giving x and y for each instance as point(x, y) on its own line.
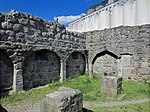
point(113, 14)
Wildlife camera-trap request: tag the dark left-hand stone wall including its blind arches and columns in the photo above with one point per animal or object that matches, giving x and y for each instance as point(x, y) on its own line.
point(37, 49)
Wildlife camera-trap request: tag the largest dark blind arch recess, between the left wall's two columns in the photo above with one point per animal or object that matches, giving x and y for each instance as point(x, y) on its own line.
point(40, 68)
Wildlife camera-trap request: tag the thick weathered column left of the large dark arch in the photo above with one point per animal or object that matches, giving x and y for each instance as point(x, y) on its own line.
point(18, 78)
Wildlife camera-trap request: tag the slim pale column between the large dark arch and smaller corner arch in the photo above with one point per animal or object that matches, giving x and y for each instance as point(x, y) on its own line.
point(62, 70)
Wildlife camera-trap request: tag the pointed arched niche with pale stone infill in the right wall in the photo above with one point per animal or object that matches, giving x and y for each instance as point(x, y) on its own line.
point(105, 63)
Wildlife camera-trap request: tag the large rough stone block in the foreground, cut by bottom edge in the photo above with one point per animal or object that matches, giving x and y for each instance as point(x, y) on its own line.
point(63, 100)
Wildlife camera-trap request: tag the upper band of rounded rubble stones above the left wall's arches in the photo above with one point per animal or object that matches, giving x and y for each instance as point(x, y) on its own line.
point(29, 29)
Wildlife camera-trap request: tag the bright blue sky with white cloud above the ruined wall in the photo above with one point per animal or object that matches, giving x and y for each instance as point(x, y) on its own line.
point(65, 10)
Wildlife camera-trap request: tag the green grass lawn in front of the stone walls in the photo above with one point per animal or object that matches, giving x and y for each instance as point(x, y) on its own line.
point(90, 88)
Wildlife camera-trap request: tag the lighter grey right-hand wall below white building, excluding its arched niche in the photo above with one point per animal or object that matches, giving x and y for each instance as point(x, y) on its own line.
point(123, 42)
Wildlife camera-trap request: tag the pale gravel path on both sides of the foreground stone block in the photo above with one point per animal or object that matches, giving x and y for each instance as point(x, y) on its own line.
point(36, 108)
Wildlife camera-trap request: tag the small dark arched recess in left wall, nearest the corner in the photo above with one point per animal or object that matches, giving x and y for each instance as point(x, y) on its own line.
point(75, 65)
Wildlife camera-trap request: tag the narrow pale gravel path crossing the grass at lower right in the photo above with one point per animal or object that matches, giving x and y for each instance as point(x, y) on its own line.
point(119, 103)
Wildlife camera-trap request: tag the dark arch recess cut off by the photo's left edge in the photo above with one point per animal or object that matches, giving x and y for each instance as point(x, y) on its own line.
point(6, 73)
